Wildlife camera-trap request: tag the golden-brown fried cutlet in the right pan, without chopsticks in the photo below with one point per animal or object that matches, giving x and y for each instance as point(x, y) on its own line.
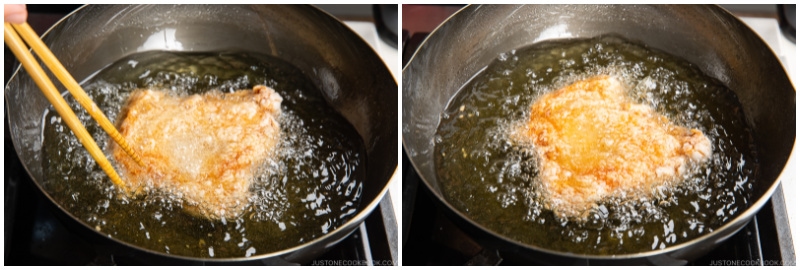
point(594, 143)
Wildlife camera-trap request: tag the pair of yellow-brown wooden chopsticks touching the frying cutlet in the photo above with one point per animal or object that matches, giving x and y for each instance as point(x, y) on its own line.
point(12, 39)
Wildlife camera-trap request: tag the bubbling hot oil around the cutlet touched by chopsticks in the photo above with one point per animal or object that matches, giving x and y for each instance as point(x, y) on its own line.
point(309, 188)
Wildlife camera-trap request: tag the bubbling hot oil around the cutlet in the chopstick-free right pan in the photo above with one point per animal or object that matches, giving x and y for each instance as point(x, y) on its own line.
point(491, 177)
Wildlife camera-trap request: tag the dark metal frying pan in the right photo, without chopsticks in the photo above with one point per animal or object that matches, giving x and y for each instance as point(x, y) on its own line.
point(707, 36)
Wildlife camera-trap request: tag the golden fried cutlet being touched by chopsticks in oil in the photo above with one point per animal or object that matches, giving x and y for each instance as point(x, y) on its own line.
point(203, 148)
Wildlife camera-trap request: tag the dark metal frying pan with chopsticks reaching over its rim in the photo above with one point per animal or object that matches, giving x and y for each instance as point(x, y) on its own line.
point(352, 78)
